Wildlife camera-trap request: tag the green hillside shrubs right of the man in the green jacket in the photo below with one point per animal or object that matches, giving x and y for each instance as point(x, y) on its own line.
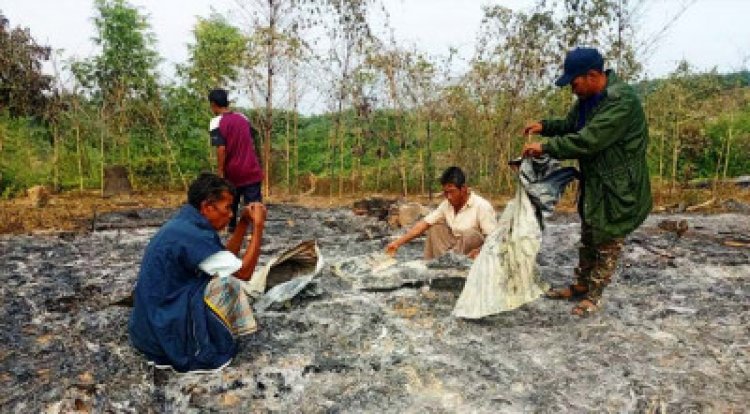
point(690, 116)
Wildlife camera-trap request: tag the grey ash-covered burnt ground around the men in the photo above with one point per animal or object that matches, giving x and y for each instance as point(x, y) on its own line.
point(674, 336)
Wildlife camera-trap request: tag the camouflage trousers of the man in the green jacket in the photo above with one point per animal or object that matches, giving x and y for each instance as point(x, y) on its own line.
point(596, 263)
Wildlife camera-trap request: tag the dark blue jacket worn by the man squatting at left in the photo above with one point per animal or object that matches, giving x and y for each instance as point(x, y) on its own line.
point(170, 322)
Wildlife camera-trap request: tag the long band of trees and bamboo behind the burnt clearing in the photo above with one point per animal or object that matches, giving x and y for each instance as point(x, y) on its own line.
point(389, 117)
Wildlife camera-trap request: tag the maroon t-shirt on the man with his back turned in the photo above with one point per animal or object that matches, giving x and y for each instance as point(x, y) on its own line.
point(241, 166)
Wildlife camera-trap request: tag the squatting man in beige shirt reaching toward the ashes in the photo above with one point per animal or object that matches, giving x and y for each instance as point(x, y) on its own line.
point(460, 223)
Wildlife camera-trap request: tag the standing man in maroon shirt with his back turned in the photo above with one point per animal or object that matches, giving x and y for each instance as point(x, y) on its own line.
point(235, 151)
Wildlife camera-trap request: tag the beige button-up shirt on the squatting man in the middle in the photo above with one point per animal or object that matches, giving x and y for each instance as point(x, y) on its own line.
point(477, 214)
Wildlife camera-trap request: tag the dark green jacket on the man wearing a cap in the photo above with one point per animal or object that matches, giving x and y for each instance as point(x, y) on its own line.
point(611, 153)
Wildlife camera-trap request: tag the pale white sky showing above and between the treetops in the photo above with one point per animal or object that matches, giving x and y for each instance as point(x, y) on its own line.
point(712, 33)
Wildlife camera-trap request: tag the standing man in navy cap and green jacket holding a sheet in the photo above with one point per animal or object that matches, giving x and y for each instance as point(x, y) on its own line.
point(606, 132)
